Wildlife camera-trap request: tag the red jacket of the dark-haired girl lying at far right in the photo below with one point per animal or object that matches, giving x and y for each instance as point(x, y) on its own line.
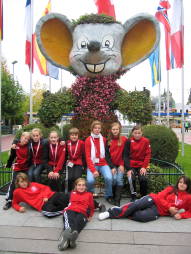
point(167, 198)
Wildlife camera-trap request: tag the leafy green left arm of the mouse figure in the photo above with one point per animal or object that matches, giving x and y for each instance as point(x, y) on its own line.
point(54, 106)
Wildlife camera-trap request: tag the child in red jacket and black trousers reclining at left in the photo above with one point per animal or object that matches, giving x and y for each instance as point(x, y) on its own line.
point(39, 196)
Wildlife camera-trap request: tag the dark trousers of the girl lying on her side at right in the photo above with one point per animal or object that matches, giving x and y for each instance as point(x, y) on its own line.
point(143, 210)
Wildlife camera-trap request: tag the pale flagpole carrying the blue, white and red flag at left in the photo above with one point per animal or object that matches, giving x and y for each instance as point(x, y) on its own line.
point(31, 63)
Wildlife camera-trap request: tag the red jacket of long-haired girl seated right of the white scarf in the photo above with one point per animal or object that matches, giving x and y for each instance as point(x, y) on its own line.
point(114, 152)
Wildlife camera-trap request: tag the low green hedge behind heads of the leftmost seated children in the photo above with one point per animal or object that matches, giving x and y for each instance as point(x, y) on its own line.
point(45, 130)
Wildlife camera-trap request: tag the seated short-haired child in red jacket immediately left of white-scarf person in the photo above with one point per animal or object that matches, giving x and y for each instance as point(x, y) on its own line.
point(75, 157)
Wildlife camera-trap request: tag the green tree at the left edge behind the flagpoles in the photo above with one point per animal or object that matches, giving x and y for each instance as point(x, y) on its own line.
point(12, 97)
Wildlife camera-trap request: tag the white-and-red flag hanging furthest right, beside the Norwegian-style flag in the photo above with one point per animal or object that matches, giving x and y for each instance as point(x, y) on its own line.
point(177, 33)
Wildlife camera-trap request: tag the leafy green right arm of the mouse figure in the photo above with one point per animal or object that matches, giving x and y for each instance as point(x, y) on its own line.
point(135, 106)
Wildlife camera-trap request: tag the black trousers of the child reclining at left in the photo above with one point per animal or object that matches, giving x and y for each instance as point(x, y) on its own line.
point(55, 204)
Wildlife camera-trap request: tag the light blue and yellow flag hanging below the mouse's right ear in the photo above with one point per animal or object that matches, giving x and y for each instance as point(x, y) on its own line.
point(154, 60)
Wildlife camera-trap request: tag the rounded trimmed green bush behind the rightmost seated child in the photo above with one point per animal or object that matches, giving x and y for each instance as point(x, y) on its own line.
point(164, 142)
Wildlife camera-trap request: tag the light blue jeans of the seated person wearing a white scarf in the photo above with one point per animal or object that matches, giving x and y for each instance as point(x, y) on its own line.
point(107, 175)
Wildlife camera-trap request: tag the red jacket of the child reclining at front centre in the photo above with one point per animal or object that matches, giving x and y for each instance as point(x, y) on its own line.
point(81, 203)
